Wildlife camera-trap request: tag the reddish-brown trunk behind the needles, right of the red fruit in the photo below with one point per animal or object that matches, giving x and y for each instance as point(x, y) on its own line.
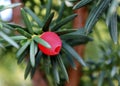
point(79, 22)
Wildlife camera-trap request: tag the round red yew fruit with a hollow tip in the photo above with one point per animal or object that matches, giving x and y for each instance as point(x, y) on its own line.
point(54, 40)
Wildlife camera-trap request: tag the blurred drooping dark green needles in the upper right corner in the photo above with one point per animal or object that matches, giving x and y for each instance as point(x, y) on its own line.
point(97, 11)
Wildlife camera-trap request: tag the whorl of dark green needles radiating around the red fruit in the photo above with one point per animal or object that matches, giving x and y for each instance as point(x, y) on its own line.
point(31, 40)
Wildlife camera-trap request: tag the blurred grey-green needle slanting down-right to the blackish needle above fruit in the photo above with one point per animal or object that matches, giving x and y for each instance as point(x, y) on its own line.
point(34, 16)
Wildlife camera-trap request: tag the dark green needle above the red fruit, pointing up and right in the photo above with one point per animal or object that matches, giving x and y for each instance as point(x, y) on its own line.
point(63, 22)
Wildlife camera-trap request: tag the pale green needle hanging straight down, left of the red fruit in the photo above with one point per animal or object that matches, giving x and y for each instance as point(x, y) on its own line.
point(32, 53)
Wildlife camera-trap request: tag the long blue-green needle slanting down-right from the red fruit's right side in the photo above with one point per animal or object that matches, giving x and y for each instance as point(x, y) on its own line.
point(73, 53)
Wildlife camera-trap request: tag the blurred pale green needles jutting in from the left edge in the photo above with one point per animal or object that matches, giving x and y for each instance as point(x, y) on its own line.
point(5, 28)
